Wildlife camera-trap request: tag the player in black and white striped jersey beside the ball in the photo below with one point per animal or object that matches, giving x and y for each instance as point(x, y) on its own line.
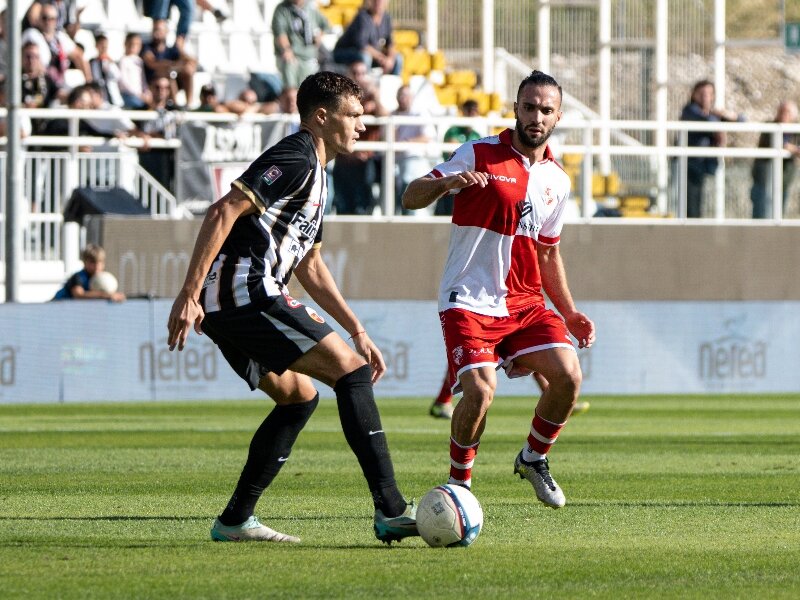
point(252, 240)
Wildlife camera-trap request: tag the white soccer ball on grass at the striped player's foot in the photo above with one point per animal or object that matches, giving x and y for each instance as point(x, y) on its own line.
point(449, 515)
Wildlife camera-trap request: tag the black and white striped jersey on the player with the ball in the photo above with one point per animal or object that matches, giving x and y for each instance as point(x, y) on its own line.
point(288, 186)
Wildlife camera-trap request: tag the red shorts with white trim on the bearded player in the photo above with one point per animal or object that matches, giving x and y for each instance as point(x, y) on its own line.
point(473, 340)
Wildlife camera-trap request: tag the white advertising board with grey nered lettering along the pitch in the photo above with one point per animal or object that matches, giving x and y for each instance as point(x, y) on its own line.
point(86, 351)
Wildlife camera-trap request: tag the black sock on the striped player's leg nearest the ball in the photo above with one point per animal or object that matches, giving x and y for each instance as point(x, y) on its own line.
point(362, 428)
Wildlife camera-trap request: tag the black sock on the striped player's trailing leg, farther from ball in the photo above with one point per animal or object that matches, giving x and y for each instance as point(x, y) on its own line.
point(271, 445)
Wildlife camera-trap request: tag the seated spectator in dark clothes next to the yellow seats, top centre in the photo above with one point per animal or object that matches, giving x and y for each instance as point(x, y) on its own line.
point(368, 39)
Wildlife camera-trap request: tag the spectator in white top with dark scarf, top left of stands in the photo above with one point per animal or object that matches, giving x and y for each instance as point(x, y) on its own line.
point(56, 49)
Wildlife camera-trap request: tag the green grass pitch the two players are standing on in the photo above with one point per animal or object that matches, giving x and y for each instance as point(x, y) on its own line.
point(667, 497)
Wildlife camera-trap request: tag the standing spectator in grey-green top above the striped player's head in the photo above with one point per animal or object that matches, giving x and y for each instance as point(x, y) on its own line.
point(297, 27)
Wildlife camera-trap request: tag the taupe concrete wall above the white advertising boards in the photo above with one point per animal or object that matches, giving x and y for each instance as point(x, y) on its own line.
point(404, 260)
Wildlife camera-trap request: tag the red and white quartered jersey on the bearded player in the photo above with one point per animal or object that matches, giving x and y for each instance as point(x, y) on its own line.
point(492, 266)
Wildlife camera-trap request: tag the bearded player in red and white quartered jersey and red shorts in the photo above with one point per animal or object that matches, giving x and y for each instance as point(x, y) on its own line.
point(507, 218)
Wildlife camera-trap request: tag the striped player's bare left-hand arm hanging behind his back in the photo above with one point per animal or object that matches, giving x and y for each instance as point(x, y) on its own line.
point(186, 310)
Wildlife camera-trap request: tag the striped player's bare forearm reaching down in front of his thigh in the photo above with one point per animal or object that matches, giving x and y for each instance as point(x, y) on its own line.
point(316, 279)
